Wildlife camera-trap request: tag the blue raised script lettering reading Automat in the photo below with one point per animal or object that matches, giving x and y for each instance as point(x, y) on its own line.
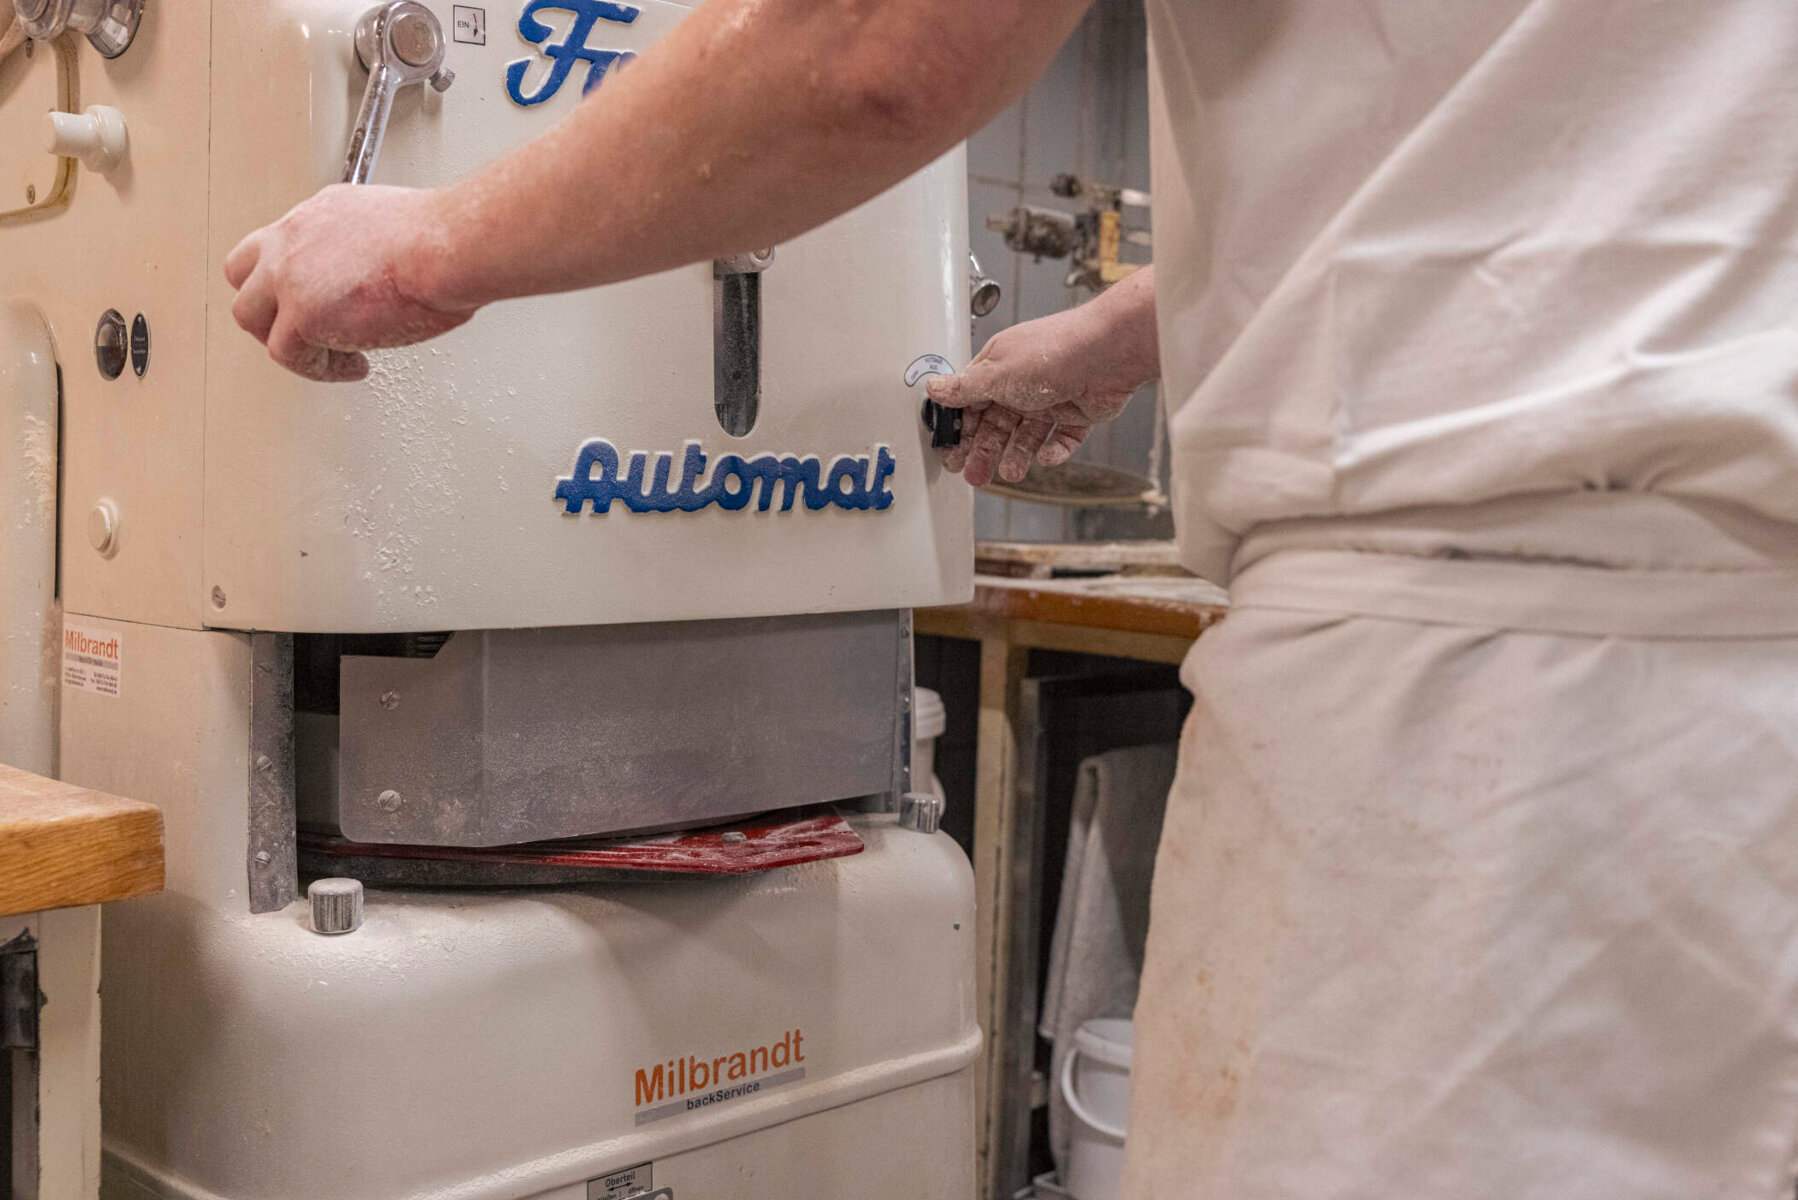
point(677, 481)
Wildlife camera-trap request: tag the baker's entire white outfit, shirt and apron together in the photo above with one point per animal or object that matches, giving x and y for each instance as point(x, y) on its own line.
point(1481, 879)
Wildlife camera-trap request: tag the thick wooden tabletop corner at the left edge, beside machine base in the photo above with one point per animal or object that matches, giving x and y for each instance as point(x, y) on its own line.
point(64, 846)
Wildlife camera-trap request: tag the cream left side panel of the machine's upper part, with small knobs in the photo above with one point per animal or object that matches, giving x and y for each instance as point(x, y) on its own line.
point(132, 242)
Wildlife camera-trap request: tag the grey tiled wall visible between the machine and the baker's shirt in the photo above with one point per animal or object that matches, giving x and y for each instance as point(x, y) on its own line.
point(1087, 116)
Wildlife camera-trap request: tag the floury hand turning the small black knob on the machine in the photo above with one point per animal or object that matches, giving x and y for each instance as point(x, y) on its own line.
point(1037, 391)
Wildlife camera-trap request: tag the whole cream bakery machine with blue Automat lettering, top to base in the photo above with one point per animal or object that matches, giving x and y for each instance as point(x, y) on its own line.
point(567, 658)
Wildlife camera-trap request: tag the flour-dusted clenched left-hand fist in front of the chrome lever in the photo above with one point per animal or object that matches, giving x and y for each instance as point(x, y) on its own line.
point(339, 276)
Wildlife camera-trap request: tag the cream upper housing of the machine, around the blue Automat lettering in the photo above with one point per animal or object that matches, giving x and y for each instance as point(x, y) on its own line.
point(425, 499)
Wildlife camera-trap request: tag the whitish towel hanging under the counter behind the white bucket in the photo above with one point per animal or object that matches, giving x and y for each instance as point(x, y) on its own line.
point(1103, 918)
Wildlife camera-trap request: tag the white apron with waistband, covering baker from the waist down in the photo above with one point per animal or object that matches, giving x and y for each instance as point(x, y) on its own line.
point(1481, 875)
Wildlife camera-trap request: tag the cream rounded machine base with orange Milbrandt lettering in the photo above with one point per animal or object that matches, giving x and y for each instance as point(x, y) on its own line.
point(799, 1034)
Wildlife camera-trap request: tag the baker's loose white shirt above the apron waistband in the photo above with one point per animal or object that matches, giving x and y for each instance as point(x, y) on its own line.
point(1414, 253)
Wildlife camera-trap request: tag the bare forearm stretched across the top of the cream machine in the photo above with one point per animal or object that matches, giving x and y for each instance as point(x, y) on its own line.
point(749, 125)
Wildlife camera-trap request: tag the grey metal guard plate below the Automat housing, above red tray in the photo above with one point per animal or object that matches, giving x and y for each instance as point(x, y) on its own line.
point(528, 735)
